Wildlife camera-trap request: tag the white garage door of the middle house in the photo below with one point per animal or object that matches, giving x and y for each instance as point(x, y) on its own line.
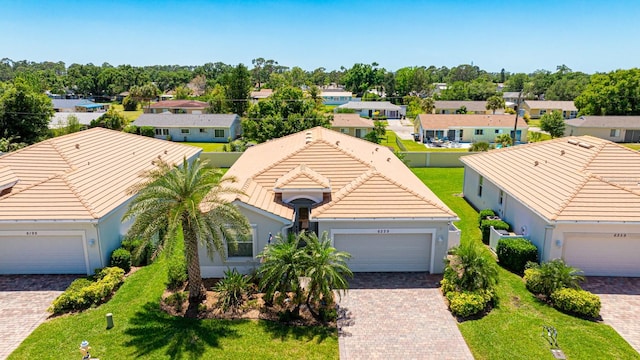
point(388, 252)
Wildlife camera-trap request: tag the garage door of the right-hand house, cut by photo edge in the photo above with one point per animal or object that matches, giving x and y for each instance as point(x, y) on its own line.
point(604, 254)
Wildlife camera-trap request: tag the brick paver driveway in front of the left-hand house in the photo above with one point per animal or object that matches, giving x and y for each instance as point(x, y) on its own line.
point(24, 300)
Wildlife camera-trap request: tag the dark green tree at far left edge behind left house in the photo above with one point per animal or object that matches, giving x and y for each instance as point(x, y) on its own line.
point(25, 112)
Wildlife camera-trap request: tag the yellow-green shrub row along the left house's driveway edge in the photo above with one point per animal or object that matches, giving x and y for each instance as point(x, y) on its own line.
point(84, 293)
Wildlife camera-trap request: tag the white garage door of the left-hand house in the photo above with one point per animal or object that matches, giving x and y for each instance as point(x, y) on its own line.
point(42, 255)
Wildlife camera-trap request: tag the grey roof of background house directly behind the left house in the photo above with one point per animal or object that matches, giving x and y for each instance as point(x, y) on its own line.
point(170, 120)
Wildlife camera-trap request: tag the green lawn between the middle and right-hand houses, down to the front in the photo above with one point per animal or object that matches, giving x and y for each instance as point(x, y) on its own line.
point(513, 330)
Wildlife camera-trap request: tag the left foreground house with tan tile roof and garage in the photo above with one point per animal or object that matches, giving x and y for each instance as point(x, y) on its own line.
point(62, 200)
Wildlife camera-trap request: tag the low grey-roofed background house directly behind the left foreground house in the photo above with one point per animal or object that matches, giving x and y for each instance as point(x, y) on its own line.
point(192, 127)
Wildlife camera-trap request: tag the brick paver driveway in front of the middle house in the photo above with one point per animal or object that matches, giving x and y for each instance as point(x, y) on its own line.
point(398, 316)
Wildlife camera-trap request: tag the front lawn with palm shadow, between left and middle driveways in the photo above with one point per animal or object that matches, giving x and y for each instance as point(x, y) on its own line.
point(142, 331)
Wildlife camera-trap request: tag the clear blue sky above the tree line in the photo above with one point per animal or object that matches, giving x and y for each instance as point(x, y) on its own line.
point(519, 36)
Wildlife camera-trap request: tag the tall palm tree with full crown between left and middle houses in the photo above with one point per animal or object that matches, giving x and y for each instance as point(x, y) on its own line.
point(189, 198)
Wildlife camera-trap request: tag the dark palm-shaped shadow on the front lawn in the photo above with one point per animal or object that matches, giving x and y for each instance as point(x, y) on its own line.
point(151, 329)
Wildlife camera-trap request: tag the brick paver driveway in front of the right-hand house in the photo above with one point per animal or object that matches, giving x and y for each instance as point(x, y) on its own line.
point(620, 299)
